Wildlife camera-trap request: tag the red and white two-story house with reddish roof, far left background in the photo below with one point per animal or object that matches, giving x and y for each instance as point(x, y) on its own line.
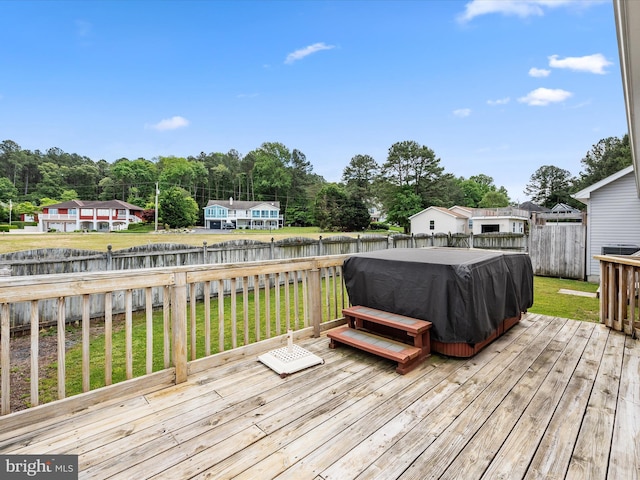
point(88, 215)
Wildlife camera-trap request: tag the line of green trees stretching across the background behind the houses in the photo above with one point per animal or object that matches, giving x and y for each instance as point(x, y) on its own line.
point(410, 179)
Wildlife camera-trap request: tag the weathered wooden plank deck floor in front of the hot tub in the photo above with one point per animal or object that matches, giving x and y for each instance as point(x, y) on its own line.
point(552, 398)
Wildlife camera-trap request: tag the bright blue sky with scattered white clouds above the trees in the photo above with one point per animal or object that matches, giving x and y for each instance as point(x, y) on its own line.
point(496, 87)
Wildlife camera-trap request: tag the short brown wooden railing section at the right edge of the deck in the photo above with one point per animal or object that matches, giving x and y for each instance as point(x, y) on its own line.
point(619, 293)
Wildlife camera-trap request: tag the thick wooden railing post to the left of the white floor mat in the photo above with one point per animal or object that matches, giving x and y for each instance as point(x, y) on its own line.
point(179, 325)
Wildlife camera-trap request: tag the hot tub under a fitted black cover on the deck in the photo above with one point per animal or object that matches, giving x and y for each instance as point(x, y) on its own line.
point(470, 296)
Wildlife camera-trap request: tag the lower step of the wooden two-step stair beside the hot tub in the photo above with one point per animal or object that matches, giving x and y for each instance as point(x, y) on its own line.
point(407, 356)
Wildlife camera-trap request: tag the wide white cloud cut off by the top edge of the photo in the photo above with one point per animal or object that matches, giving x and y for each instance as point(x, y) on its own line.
point(518, 8)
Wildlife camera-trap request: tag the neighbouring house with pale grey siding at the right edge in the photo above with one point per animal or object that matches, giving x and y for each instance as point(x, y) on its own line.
point(613, 210)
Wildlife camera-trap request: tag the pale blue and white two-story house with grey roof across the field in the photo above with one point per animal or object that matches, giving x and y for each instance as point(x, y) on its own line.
point(222, 214)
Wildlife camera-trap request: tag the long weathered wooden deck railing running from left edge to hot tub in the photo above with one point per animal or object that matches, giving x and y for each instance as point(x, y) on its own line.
point(255, 301)
